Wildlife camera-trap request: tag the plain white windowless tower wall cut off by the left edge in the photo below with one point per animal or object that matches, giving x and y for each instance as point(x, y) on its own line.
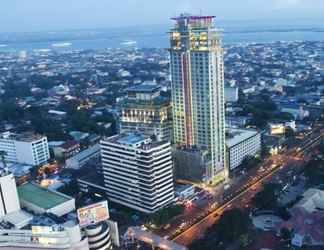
point(9, 201)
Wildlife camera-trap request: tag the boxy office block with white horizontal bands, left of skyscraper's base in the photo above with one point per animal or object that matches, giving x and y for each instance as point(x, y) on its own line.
point(138, 171)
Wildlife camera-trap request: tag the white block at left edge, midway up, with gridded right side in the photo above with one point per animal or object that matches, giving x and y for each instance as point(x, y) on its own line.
point(27, 148)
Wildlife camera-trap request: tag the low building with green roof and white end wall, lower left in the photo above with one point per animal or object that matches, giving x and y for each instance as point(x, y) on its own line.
point(41, 200)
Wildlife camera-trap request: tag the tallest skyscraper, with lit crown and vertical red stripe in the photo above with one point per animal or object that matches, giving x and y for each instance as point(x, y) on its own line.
point(197, 73)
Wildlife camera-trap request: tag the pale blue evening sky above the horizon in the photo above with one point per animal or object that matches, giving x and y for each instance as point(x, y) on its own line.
point(45, 15)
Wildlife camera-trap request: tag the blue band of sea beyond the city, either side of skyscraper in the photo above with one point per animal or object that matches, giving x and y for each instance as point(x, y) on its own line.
point(157, 36)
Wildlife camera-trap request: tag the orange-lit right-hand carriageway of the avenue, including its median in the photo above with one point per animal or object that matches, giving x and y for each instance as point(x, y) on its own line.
point(282, 164)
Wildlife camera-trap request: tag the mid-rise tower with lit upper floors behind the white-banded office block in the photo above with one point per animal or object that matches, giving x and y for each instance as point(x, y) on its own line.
point(145, 110)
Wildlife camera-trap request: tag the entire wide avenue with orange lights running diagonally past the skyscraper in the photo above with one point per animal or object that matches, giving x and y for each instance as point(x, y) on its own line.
point(198, 219)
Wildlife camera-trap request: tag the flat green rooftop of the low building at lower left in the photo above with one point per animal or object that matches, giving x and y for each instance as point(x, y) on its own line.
point(41, 197)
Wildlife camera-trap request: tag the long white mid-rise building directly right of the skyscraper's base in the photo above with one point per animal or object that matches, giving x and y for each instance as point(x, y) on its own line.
point(240, 144)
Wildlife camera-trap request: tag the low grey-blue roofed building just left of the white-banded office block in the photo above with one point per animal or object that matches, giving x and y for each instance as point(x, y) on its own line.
point(91, 154)
